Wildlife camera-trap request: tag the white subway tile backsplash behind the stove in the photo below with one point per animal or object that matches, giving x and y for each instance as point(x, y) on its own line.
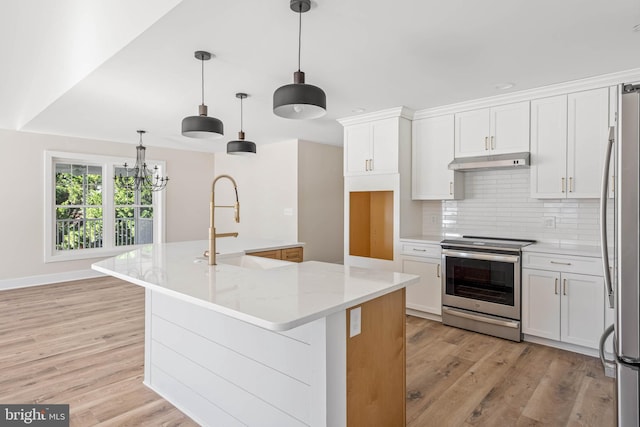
point(498, 203)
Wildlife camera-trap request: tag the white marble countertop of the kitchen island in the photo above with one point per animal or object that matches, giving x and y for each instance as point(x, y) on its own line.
point(279, 298)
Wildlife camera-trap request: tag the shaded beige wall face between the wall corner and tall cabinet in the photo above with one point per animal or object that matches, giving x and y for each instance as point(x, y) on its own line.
point(321, 201)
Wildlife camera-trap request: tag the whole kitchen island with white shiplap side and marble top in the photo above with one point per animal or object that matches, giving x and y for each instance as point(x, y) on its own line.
point(256, 341)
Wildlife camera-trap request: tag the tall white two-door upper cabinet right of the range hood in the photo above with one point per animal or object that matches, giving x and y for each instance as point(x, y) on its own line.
point(568, 138)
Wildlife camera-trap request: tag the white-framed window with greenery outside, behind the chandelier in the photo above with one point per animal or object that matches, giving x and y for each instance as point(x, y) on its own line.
point(90, 215)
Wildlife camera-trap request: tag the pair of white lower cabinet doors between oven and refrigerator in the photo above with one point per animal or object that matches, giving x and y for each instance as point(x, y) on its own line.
point(561, 306)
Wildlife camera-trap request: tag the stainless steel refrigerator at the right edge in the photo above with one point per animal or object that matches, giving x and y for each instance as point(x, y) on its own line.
point(620, 254)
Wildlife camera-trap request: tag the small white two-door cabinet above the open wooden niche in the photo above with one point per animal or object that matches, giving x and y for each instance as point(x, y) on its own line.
point(372, 147)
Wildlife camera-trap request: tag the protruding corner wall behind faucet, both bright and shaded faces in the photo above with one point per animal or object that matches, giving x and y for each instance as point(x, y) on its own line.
point(290, 190)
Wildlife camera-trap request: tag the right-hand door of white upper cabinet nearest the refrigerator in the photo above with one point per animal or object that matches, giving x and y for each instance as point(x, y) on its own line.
point(588, 124)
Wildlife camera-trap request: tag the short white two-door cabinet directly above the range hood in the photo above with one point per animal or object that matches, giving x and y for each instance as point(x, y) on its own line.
point(497, 130)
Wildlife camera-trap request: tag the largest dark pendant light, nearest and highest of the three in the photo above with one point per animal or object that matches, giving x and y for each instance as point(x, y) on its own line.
point(299, 100)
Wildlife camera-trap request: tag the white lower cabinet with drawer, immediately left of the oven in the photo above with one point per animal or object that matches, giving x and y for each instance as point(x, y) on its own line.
point(423, 260)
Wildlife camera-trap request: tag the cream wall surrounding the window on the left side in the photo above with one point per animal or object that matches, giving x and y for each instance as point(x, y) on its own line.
point(22, 200)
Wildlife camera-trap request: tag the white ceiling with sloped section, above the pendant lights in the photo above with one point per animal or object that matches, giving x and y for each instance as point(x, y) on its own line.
point(102, 69)
